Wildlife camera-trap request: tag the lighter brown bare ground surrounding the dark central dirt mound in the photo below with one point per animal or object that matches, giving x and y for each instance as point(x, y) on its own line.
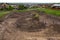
point(9, 30)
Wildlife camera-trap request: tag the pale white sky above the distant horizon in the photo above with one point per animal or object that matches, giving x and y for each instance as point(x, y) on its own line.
point(30, 1)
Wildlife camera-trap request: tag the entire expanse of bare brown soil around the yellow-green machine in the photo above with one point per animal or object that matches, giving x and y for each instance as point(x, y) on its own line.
point(20, 26)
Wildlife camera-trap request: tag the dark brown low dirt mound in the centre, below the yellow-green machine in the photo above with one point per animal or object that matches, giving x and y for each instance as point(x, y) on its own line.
point(26, 24)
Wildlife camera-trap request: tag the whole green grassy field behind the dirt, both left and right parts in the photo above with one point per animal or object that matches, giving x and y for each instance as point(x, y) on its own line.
point(47, 11)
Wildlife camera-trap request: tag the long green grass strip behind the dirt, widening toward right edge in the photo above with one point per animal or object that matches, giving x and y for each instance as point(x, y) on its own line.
point(46, 10)
